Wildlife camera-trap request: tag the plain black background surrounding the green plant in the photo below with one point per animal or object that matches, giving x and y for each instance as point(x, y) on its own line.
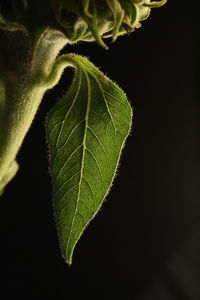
point(151, 217)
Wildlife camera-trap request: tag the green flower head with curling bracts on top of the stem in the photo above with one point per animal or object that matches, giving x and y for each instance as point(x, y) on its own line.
point(78, 20)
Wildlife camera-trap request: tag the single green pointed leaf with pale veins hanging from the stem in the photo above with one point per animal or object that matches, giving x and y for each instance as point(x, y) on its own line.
point(86, 130)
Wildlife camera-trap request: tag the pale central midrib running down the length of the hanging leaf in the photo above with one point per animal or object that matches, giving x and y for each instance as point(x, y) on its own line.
point(83, 156)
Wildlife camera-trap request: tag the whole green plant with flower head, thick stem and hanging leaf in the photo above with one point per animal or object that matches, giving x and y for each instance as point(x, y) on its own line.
point(86, 129)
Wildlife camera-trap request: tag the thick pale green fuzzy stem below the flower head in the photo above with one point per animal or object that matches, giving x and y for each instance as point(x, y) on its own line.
point(20, 97)
